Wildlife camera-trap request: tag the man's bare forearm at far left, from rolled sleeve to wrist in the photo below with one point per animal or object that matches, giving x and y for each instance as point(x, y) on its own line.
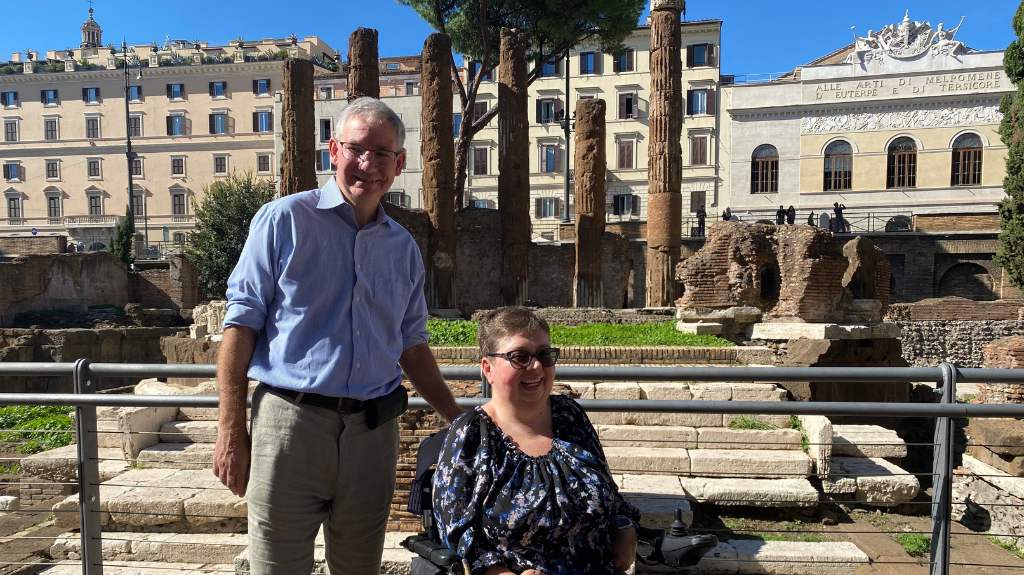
point(233, 381)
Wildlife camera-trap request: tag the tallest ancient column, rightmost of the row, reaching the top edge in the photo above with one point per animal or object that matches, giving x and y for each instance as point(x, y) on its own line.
point(665, 154)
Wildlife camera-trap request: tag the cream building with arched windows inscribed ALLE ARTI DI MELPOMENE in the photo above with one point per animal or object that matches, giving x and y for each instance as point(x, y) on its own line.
point(901, 127)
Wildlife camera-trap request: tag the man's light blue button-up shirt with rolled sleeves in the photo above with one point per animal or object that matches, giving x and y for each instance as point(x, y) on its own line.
point(333, 305)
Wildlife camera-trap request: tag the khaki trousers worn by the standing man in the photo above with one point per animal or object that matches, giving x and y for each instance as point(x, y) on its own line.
point(314, 467)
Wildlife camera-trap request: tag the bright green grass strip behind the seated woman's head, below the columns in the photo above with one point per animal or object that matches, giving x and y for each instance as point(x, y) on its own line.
point(463, 334)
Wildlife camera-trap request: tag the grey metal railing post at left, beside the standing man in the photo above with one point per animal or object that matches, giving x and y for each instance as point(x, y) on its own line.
point(89, 474)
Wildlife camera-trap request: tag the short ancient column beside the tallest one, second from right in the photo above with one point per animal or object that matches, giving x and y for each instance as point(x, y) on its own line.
point(590, 165)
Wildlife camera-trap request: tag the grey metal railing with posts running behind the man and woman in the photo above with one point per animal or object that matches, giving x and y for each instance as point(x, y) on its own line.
point(86, 377)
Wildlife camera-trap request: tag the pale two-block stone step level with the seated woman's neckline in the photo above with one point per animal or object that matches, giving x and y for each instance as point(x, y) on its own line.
point(710, 463)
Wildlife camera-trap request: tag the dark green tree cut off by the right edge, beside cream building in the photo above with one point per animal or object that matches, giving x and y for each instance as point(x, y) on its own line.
point(1011, 251)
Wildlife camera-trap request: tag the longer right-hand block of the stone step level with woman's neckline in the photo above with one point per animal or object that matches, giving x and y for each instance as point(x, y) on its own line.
point(749, 464)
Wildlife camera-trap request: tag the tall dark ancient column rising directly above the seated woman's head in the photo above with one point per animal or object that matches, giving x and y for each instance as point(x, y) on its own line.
point(514, 166)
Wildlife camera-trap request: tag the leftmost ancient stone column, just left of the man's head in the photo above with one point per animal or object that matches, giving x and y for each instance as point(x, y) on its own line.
point(297, 128)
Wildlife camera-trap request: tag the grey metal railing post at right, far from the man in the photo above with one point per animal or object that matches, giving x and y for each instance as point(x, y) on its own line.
point(943, 469)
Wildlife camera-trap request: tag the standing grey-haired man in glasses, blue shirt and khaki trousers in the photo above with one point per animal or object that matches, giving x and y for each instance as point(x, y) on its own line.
point(324, 305)
